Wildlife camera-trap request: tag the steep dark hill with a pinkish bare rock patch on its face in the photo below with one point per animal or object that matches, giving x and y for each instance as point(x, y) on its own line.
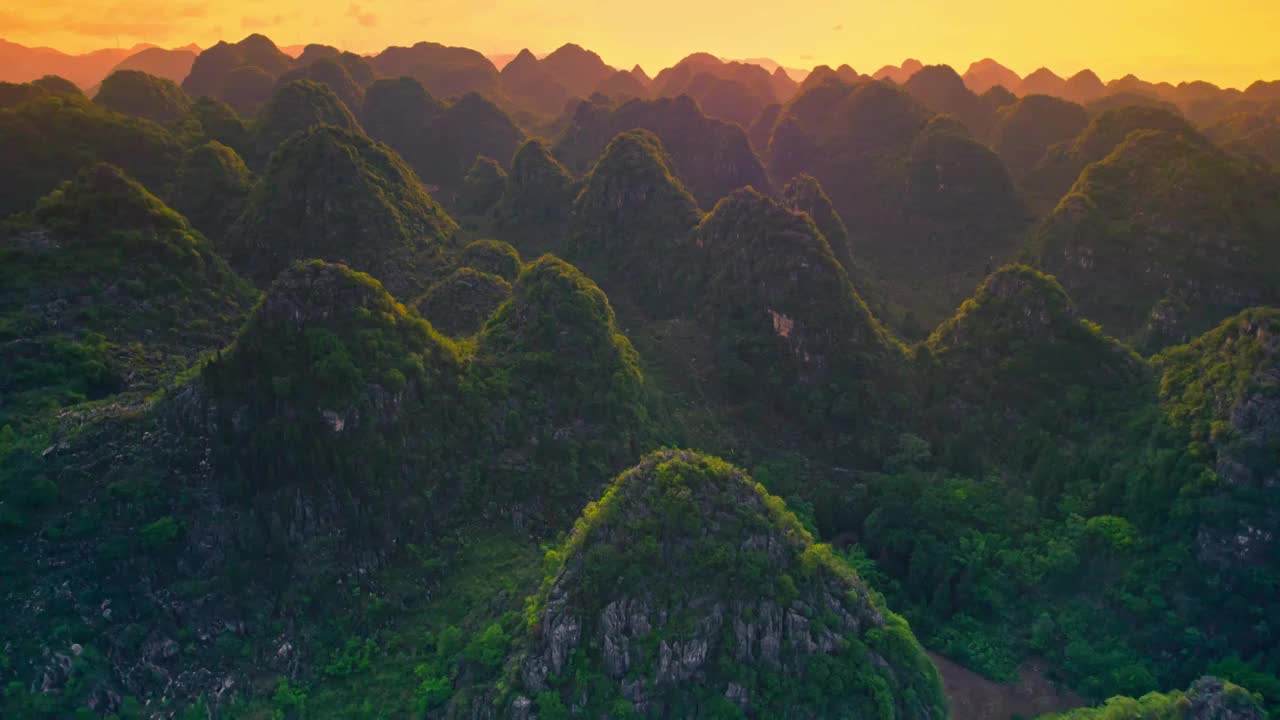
point(788, 326)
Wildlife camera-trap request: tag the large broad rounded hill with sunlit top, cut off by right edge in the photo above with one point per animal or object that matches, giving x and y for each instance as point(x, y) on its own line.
point(1165, 238)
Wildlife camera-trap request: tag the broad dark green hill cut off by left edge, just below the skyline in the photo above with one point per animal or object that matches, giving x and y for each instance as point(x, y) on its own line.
point(51, 139)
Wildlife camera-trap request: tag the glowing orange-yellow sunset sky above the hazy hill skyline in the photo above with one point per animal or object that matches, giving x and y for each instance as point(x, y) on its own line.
point(1228, 42)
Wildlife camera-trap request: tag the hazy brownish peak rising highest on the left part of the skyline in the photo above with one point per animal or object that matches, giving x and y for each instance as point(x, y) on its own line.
point(241, 75)
